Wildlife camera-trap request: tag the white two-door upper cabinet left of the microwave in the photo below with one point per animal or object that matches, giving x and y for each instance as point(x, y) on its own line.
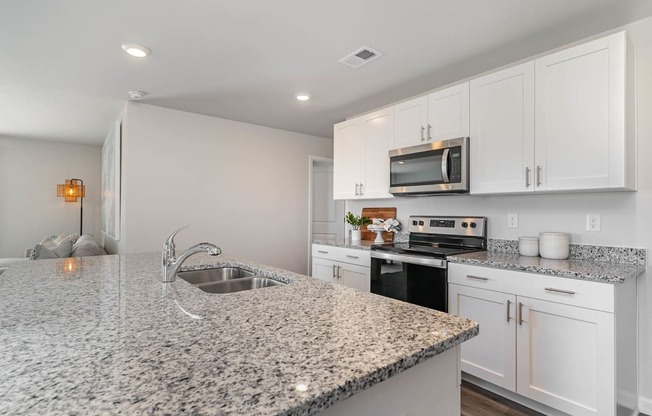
point(361, 156)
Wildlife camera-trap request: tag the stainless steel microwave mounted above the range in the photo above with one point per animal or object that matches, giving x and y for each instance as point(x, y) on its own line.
point(431, 168)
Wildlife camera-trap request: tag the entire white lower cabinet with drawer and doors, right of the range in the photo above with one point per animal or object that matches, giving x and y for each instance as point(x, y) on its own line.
point(564, 343)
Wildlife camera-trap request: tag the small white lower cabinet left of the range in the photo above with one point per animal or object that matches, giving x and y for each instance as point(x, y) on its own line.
point(348, 267)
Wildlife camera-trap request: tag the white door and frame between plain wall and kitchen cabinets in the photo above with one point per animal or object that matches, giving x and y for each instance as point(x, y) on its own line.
point(326, 216)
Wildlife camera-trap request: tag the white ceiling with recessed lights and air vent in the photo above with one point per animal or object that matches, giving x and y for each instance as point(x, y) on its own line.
point(64, 76)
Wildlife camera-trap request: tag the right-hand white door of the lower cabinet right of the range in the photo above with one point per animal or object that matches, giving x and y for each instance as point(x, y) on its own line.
point(565, 357)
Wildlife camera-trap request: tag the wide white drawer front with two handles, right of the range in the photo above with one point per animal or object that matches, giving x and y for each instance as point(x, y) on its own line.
point(582, 293)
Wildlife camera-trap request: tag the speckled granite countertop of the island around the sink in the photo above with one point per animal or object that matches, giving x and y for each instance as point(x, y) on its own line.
point(108, 337)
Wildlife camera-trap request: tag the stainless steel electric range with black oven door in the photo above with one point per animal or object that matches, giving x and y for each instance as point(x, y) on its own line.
point(417, 271)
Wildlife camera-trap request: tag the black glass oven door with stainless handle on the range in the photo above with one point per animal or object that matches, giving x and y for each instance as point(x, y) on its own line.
point(415, 279)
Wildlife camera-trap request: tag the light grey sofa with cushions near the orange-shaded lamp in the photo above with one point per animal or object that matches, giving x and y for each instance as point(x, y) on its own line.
point(53, 247)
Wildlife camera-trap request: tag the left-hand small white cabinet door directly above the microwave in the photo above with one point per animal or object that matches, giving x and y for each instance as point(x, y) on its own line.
point(410, 120)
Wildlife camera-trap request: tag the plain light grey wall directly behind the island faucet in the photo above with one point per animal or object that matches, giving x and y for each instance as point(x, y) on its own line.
point(241, 186)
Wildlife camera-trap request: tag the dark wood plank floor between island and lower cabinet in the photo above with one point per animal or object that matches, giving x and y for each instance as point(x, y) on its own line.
point(479, 402)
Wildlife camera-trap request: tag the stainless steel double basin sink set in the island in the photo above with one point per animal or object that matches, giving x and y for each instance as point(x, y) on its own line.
point(226, 280)
